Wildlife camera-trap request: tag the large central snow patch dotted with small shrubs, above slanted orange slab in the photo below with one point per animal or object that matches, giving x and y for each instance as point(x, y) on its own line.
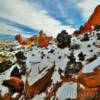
point(36, 63)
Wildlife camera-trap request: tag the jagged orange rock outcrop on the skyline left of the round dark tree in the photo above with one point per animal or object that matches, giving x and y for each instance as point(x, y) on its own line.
point(42, 40)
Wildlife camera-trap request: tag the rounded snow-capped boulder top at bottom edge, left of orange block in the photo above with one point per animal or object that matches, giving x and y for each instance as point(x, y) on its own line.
point(67, 90)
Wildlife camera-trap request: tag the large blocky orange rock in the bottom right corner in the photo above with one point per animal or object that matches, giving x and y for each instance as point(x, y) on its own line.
point(91, 84)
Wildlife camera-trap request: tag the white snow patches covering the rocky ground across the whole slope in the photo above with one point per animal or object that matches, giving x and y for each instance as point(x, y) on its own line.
point(42, 59)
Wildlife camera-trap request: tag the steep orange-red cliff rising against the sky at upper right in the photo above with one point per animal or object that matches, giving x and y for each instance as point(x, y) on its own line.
point(92, 21)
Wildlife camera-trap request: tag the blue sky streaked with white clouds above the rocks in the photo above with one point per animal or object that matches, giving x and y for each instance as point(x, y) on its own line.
point(28, 17)
